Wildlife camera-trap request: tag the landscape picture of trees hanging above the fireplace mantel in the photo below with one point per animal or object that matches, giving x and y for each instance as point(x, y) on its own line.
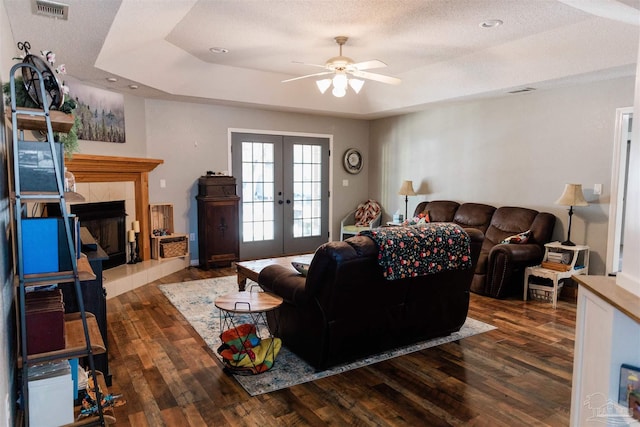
point(101, 113)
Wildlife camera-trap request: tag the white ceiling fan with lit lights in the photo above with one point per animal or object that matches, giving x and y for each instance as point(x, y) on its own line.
point(346, 73)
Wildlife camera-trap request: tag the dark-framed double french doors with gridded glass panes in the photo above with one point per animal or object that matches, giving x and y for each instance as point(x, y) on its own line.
point(284, 189)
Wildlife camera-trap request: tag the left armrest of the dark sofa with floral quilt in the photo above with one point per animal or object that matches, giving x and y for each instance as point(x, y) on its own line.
point(284, 282)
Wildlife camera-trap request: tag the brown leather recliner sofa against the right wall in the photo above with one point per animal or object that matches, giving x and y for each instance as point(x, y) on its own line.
point(500, 268)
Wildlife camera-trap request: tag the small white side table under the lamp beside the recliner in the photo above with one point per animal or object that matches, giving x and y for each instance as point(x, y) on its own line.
point(579, 264)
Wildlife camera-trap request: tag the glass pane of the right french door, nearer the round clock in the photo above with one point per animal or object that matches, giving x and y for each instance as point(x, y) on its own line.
point(306, 183)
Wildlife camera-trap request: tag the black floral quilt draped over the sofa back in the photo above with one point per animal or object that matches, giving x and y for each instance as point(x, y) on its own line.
point(421, 250)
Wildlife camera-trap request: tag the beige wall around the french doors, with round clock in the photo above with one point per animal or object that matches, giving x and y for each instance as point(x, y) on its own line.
point(194, 138)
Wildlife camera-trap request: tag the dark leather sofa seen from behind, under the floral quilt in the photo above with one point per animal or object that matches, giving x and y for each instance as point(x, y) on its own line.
point(345, 309)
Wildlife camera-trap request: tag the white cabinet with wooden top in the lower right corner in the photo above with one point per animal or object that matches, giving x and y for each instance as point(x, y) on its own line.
point(607, 336)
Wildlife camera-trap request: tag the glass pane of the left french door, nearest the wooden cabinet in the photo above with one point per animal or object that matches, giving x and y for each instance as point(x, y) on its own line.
point(257, 191)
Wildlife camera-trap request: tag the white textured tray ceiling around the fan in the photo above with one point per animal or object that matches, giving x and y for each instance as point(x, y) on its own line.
point(436, 47)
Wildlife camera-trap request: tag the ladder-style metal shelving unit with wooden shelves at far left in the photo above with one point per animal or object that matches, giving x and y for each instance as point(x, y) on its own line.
point(83, 339)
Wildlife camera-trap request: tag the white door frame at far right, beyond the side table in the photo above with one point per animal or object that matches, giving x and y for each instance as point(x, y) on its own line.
point(616, 205)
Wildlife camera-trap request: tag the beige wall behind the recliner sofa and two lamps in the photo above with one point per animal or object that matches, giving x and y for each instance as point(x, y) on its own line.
point(517, 150)
